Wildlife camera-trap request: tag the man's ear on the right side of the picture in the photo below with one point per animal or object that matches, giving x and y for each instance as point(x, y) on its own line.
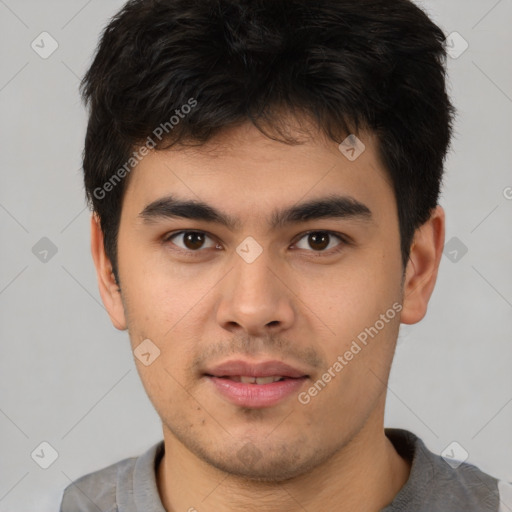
point(422, 267)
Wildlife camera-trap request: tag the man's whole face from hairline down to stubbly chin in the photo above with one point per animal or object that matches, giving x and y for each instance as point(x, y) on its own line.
point(264, 287)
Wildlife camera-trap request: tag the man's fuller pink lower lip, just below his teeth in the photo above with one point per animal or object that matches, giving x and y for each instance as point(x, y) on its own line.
point(256, 395)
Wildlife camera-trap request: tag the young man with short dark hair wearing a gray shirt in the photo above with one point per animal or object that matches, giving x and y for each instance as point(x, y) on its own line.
point(264, 178)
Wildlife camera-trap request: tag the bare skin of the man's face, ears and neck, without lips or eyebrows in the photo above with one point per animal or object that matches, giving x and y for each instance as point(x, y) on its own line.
point(294, 303)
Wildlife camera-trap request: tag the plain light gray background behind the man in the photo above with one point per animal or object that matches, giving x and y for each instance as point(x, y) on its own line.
point(67, 376)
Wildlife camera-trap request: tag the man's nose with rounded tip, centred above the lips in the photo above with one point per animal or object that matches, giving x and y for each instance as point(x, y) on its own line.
point(255, 298)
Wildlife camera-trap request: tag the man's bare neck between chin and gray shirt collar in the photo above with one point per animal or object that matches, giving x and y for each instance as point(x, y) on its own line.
point(365, 475)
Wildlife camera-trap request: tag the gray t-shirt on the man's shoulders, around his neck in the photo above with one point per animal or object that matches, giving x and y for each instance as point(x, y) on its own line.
point(433, 484)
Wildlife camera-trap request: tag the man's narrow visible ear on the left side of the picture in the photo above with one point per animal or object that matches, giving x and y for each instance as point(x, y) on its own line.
point(109, 290)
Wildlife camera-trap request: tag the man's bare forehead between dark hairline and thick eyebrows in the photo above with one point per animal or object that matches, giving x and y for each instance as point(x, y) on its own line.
point(244, 173)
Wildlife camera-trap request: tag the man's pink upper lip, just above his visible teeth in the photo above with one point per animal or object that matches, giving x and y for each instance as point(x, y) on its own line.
point(263, 369)
